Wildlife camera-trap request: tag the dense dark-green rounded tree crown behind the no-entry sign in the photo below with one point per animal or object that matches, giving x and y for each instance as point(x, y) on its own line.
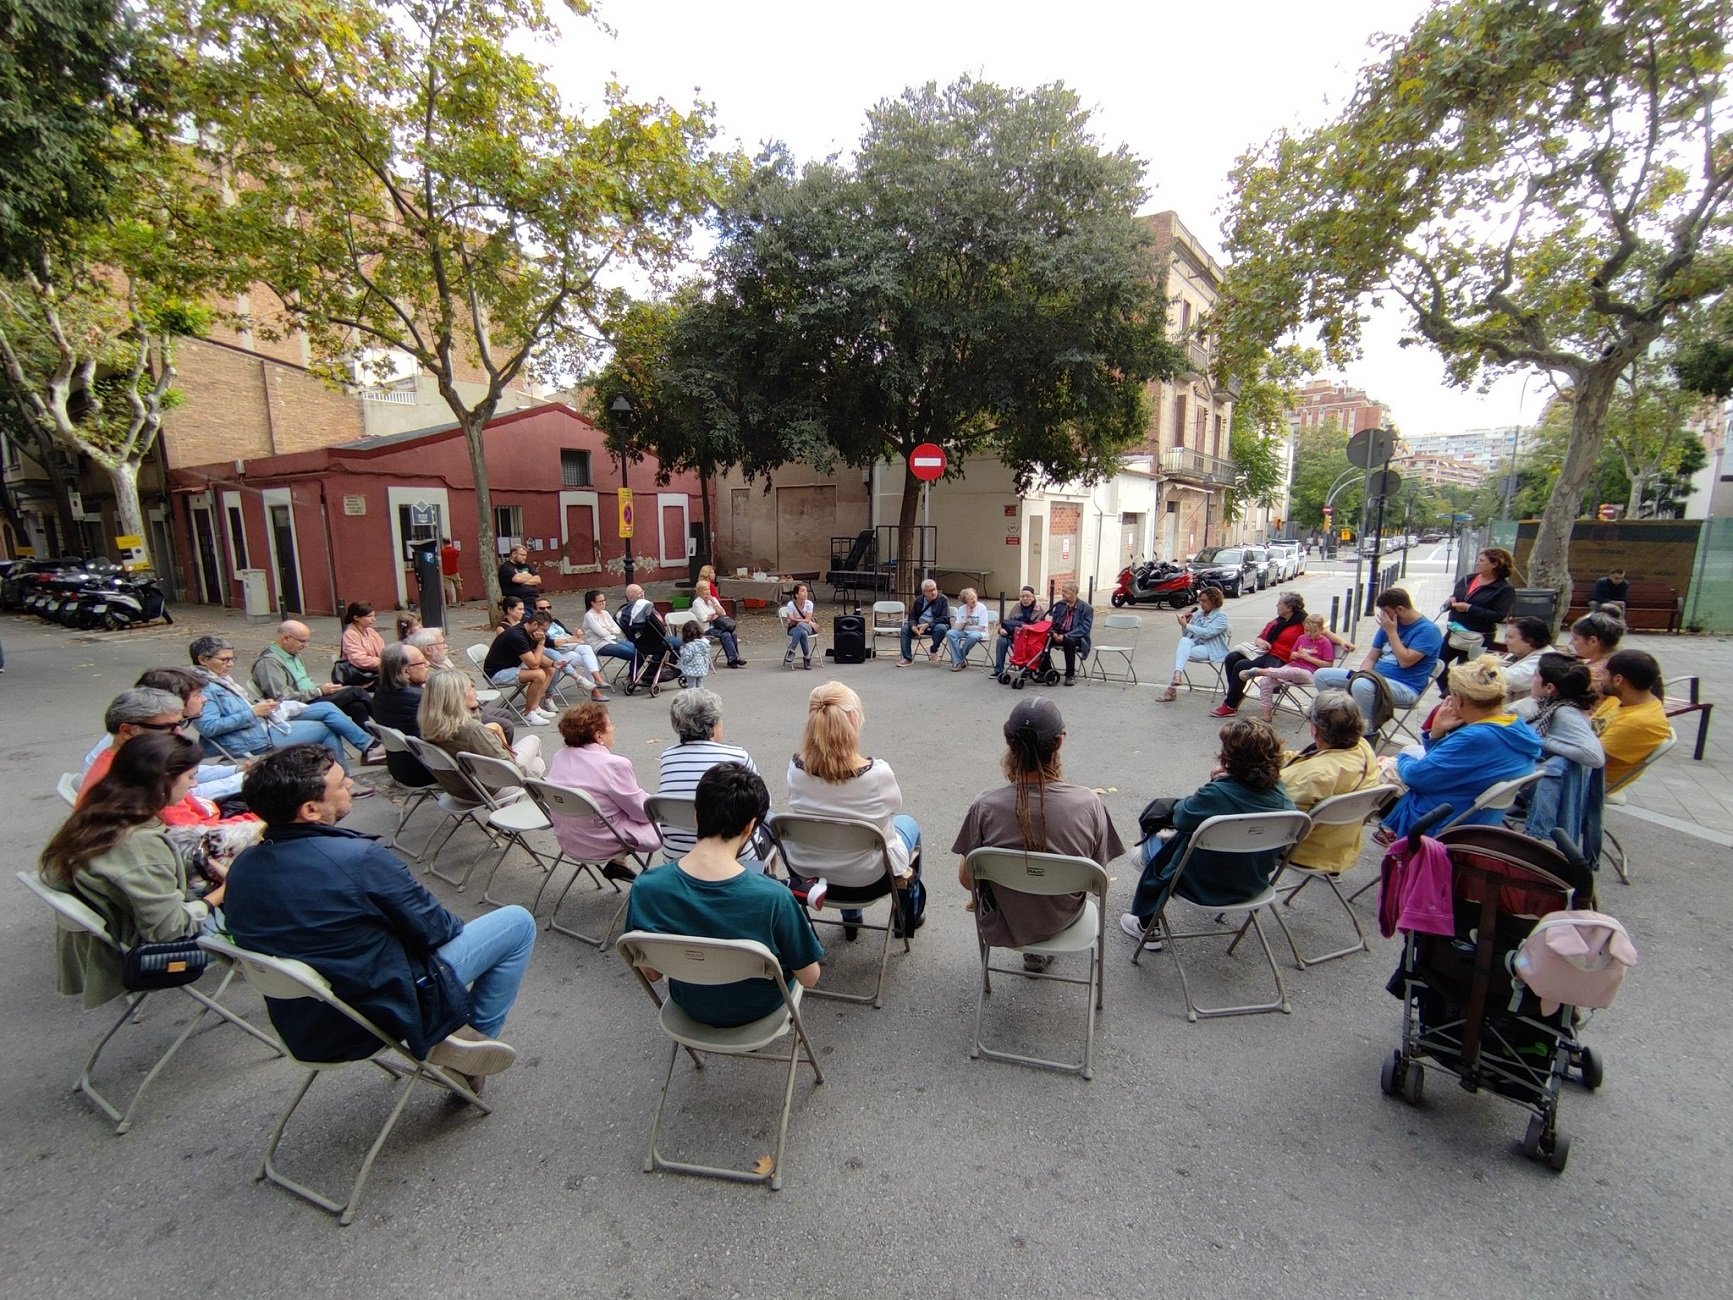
point(977, 280)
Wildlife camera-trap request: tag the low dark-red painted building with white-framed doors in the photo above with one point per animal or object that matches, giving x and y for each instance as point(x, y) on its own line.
point(344, 512)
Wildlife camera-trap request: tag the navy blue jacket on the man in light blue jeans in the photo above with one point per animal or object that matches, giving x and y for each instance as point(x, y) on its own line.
point(349, 907)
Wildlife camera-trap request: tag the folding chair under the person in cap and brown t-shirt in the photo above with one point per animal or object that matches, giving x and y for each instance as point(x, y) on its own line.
point(1048, 874)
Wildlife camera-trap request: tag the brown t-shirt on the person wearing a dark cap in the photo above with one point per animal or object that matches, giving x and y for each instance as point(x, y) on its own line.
point(1075, 824)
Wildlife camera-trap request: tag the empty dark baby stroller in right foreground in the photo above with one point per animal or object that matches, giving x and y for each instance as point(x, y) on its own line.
point(1462, 1008)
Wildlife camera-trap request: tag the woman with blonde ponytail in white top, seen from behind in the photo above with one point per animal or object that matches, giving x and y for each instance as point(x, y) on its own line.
point(831, 777)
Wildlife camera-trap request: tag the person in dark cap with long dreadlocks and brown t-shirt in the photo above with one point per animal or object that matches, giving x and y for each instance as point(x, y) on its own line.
point(1041, 812)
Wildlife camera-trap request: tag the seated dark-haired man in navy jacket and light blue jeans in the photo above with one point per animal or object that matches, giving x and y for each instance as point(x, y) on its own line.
point(346, 906)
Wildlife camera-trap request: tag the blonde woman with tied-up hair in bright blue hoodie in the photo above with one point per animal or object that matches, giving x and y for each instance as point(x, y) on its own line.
point(1474, 743)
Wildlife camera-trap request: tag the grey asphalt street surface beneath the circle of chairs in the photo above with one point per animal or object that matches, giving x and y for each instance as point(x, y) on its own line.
point(1236, 1157)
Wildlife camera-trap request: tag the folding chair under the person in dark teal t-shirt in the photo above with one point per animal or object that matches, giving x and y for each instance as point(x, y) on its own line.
point(698, 961)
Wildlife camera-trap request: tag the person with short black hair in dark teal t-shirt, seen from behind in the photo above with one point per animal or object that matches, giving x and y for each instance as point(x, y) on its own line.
point(711, 895)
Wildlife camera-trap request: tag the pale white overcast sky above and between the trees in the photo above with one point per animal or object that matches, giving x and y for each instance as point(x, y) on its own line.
point(1186, 88)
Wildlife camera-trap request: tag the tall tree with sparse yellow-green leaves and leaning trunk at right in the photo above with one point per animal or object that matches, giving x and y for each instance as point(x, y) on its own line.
point(1536, 185)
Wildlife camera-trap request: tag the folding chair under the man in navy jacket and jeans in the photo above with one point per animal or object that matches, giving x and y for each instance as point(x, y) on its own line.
point(287, 980)
